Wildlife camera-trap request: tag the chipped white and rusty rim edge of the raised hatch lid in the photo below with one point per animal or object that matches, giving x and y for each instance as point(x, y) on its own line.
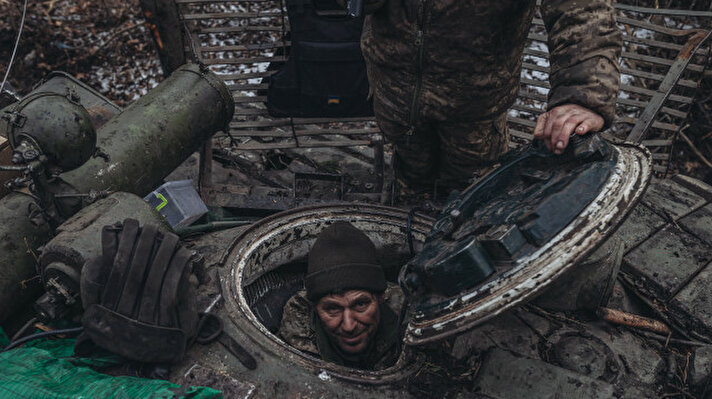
point(531, 274)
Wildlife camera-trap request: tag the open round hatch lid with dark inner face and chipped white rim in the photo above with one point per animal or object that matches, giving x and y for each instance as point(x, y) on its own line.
point(511, 234)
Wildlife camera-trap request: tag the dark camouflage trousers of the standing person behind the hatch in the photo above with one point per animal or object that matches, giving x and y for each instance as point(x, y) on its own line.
point(449, 154)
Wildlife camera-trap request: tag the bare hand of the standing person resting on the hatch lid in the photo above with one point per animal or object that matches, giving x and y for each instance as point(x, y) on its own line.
point(556, 125)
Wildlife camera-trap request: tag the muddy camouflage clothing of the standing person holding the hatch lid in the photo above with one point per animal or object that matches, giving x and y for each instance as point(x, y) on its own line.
point(436, 61)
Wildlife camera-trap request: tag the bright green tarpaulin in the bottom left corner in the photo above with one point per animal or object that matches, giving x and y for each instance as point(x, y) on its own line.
point(48, 369)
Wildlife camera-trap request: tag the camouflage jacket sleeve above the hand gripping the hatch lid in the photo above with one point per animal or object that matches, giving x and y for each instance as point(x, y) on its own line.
point(584, 46)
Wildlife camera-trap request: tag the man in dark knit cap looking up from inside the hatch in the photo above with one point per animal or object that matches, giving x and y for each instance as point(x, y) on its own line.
point(346, 314)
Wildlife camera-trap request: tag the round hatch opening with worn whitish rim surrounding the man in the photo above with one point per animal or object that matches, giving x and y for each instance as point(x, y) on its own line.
point(269, 264)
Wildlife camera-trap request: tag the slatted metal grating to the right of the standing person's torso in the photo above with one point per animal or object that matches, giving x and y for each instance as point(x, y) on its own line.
point(661, 66)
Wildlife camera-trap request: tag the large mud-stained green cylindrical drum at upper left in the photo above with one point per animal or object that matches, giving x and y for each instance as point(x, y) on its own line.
point(154, 135)
